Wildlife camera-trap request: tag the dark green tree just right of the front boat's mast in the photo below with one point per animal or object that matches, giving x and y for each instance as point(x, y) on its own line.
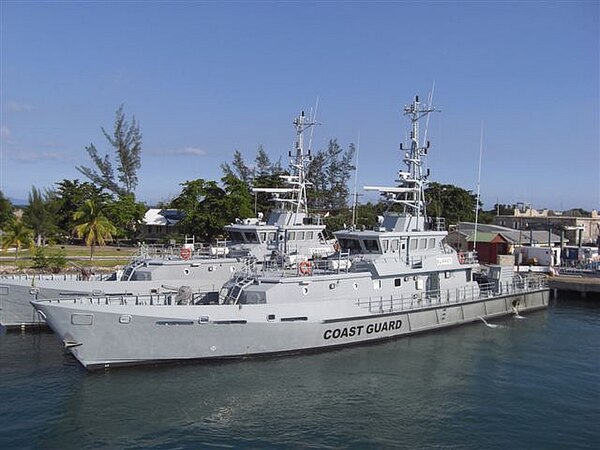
point(451, 202)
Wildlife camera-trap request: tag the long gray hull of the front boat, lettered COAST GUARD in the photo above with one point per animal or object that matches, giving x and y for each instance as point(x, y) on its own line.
point(133, 334)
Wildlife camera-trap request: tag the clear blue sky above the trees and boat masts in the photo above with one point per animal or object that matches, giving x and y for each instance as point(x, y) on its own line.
point(517, 82)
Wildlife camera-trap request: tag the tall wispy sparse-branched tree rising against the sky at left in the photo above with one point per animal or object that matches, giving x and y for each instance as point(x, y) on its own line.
point(126, 141)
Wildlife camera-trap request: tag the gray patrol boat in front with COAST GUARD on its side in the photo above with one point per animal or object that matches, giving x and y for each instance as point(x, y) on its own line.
point(395, 280)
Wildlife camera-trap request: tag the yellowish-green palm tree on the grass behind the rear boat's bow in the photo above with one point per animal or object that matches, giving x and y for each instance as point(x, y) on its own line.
point(92, 225)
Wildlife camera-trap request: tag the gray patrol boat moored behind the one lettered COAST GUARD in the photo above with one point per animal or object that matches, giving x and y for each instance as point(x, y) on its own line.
point(289, 231)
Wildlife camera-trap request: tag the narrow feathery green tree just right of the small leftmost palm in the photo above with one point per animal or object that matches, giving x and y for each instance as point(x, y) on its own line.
point(40, 213)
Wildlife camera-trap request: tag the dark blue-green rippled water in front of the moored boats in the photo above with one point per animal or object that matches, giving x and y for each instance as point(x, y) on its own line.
point(531, 383)
